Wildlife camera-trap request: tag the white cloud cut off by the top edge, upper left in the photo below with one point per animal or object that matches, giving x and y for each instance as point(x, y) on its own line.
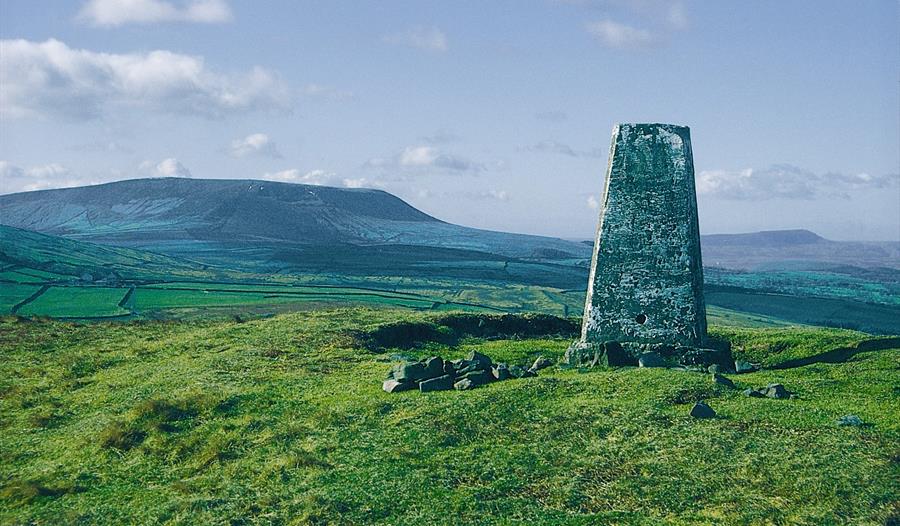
point(110, 13)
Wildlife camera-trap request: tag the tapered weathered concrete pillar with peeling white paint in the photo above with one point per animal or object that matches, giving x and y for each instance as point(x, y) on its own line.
point(646, 282)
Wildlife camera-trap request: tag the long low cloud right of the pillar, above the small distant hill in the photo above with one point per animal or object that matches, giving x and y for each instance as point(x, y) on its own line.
point(787, 182)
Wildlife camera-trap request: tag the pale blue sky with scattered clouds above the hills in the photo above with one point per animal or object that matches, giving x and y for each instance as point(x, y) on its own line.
point(492, 114)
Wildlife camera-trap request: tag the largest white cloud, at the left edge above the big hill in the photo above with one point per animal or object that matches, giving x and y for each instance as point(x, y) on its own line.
point(50, 78)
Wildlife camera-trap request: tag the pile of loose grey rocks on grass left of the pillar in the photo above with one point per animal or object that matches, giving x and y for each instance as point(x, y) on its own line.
point(437, 374)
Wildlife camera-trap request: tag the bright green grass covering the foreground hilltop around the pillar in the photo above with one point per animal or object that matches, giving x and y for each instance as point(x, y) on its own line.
point(282, 421)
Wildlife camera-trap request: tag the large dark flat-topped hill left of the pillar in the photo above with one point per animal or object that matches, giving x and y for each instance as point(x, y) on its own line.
point(209, 216)
